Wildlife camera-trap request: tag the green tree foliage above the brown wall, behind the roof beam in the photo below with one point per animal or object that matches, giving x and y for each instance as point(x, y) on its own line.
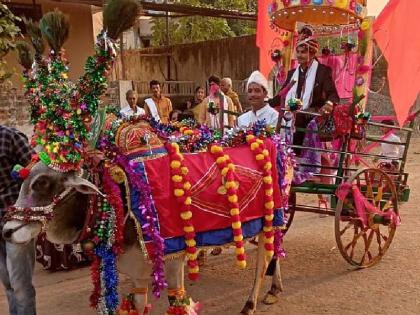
point(198, 28)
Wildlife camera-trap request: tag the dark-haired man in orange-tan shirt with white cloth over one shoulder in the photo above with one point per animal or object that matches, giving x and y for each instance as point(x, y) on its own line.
point(158, 106)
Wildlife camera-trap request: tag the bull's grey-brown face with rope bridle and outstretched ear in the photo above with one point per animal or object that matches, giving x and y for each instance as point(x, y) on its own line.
point(41, 189)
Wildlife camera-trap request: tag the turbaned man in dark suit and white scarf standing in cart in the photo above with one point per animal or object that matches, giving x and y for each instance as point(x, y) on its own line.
point(317, 90)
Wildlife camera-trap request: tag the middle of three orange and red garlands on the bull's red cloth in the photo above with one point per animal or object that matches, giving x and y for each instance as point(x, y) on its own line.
point(227, 169)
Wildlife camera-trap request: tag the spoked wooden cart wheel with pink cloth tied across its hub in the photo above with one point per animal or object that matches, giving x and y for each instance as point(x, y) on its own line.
point(364, 246)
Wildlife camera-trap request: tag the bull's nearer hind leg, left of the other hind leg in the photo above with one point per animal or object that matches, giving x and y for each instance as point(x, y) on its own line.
point(251, 304)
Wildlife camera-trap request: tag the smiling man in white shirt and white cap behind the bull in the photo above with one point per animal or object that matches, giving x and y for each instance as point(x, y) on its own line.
point(257, 89)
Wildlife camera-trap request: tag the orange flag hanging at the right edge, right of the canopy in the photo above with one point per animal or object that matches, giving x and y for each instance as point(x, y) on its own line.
point(396, 32)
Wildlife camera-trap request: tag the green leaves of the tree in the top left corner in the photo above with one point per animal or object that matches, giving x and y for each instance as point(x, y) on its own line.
point(8, 32)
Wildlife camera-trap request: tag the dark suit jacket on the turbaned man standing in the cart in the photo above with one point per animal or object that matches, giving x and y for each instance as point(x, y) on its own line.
point(324, 88)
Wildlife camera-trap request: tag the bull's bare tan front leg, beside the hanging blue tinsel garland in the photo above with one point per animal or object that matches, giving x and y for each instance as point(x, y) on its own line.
point(133, 264)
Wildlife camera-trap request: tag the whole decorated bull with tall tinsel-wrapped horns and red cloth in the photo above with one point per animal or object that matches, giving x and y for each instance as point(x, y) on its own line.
point(155, 193)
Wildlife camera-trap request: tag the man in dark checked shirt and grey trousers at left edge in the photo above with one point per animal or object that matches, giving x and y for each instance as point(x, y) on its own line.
point(16, 260)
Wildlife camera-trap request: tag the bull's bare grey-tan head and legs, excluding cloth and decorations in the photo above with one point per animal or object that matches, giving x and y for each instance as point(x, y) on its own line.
point(39, 192)
